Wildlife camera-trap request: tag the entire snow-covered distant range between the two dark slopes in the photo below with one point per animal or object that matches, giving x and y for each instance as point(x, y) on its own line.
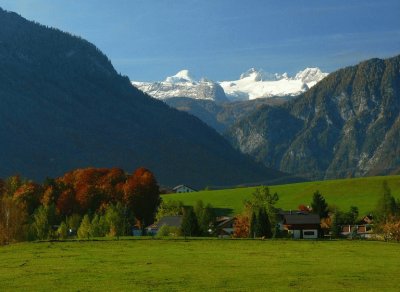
point(251, 85)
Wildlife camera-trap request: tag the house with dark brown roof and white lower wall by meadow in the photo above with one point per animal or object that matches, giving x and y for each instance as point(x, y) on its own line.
point(301, 224)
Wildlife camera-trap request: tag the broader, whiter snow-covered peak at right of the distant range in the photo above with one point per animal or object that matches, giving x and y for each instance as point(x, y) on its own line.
point(257, 84)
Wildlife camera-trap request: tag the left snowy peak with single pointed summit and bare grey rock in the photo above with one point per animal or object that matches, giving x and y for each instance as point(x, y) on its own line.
point(183, 85)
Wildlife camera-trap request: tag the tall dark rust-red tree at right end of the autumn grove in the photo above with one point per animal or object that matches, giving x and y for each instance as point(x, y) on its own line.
point(142, 195)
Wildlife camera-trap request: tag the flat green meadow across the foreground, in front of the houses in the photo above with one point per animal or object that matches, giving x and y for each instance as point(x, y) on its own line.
point(198, 265)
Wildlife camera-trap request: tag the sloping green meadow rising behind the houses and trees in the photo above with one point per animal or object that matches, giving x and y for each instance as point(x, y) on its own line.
point(360, 192)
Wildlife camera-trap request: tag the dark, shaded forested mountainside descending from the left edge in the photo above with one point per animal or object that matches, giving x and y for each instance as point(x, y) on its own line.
point(63, 106)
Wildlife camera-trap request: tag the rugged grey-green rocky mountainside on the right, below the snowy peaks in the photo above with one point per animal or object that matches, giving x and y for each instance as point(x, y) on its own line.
point(346, 125)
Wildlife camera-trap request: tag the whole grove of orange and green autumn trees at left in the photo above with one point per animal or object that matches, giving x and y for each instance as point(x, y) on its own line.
point(89, 202)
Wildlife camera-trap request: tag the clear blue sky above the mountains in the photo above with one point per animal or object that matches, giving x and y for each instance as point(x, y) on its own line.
point(149, 40)
